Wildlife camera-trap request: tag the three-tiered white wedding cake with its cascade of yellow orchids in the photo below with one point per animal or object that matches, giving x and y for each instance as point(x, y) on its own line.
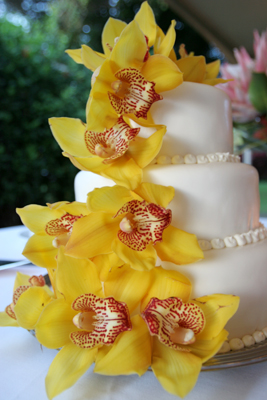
point(163, 242)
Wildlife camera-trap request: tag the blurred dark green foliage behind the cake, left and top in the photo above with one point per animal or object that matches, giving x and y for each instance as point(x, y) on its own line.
point(38, 81)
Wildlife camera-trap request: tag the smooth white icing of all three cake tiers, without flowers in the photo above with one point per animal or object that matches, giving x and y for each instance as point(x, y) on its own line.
point(216, 198)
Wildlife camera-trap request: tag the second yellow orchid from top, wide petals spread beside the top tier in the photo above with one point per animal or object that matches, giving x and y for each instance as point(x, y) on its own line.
point(117, 153)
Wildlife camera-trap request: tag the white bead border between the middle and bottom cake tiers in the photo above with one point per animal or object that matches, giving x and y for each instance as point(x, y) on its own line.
point(242, 239)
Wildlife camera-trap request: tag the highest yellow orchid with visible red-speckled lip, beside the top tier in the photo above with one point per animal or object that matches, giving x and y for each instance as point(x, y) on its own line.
point(128, 82)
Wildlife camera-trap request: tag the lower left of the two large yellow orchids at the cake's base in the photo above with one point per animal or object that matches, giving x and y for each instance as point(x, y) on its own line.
point(81, 321)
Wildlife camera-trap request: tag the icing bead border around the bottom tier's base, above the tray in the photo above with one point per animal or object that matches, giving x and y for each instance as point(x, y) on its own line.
point(246, 341)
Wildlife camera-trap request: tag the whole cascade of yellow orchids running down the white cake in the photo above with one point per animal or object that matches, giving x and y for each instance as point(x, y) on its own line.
point(110, 304)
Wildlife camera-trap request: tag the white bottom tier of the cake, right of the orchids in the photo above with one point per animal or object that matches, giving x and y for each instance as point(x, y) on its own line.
point(241, 271)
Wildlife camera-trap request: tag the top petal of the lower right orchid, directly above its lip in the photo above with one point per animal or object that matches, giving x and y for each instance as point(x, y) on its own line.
point(167, 283)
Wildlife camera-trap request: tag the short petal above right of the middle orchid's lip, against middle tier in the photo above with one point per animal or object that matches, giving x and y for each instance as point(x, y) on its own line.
point(158, 194)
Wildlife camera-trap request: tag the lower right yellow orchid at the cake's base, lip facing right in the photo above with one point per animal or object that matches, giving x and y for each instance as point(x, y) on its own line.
point(185, 333)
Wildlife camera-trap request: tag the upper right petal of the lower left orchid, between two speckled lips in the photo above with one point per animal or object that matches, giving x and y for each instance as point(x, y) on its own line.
point(127, 285)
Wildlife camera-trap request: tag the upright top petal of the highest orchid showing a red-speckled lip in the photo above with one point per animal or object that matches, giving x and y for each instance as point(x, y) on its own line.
point(129, 53)
